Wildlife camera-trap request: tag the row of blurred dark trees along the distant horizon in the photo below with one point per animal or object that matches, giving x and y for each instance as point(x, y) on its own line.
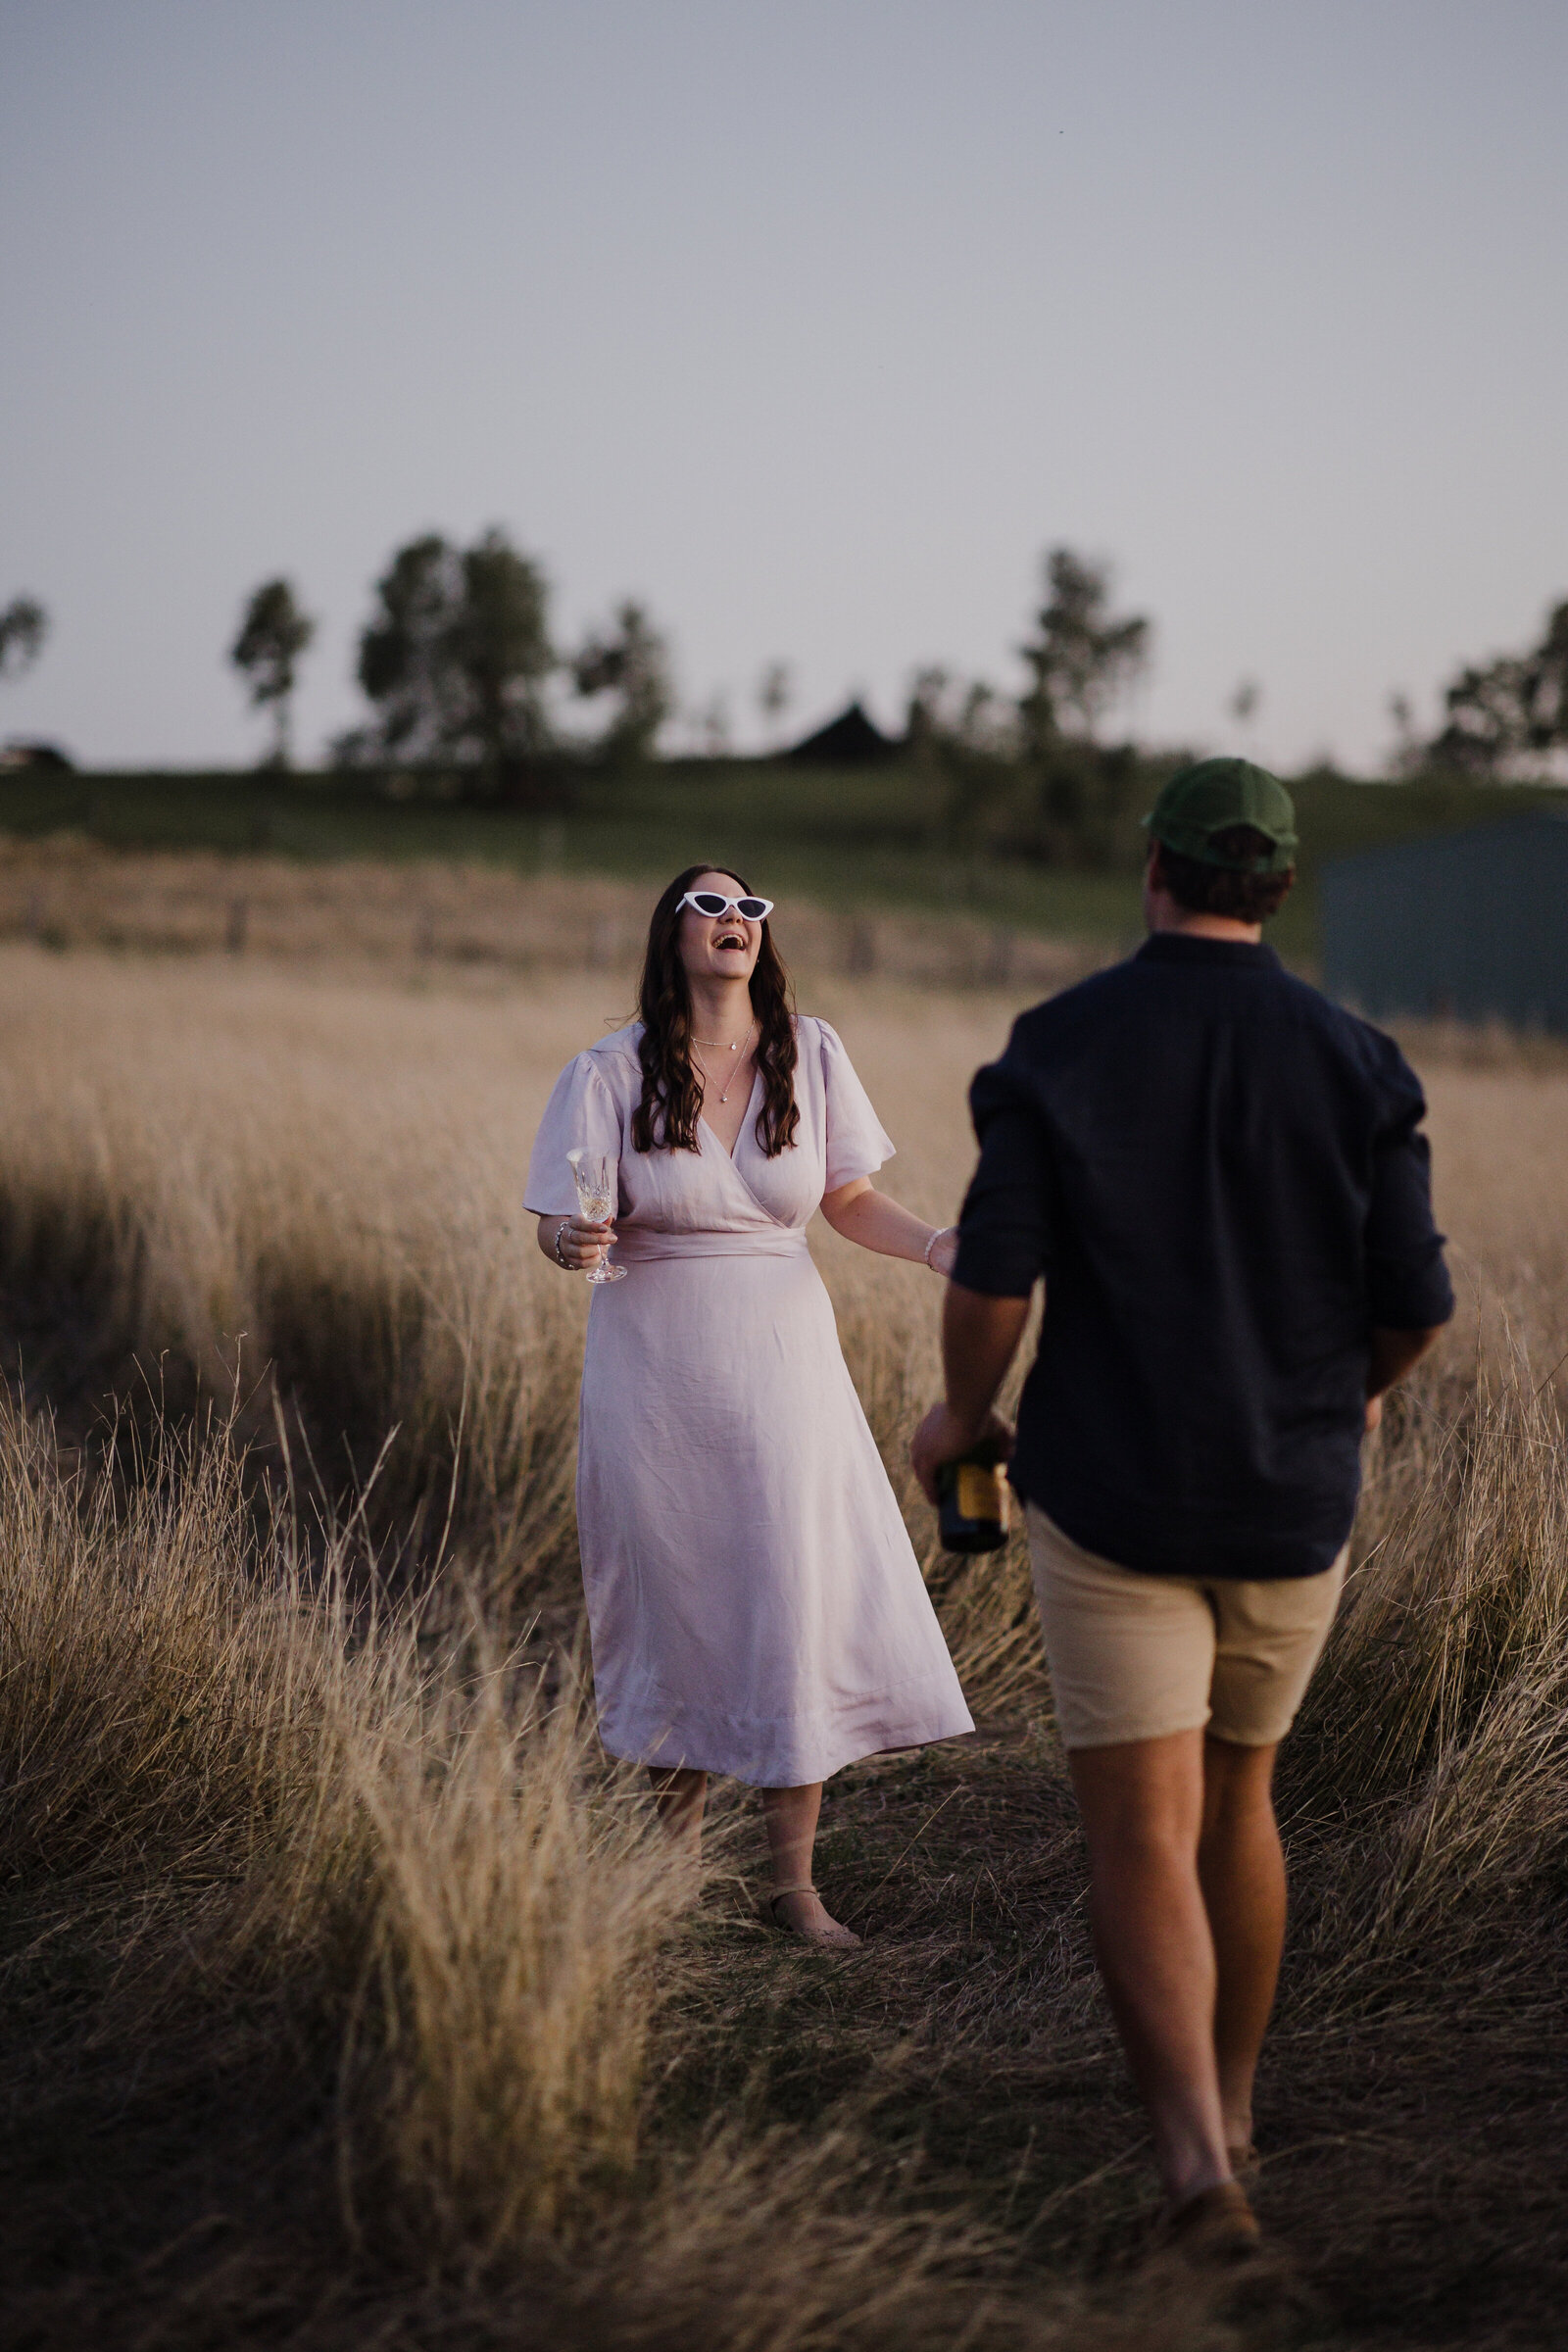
point(462, 674)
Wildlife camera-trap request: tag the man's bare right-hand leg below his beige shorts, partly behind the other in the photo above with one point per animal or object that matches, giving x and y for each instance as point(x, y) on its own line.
point(1242, 1873)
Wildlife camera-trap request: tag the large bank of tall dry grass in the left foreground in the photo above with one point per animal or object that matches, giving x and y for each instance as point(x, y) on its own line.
point(314, 1798)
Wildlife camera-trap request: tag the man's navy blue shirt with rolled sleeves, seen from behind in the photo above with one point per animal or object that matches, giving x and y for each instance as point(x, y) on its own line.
point(1226, 1187)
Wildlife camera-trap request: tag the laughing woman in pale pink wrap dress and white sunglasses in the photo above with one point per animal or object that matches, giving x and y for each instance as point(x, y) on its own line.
point(753, 1598)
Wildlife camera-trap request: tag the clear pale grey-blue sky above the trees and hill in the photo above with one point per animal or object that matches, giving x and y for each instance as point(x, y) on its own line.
point(810, 323)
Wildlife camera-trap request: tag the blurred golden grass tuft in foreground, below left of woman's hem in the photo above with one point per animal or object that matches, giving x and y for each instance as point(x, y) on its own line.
point(514, 1963)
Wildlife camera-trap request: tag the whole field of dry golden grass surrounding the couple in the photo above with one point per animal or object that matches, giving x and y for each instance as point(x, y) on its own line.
point(351, 1998)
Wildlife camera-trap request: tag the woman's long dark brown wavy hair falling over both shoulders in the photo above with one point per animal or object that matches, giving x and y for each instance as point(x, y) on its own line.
point(671, 1090)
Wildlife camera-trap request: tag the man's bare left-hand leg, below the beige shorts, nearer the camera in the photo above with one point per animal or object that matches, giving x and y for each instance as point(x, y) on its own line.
point(1144, 1812)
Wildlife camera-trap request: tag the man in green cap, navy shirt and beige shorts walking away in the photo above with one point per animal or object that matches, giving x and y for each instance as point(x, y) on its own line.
point(1224, 1182)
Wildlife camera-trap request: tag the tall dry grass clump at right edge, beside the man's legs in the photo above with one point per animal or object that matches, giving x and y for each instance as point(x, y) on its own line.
point(1447, 1695)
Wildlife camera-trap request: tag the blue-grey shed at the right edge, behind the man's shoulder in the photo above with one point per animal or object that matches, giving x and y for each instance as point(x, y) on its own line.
point(1468, 926)
